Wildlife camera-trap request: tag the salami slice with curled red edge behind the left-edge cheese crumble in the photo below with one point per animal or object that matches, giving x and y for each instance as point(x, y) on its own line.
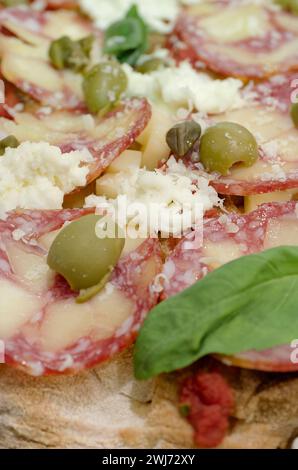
point(106, 138)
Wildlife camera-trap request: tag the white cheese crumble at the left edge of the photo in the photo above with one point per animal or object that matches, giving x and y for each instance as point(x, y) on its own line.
point(38, 175)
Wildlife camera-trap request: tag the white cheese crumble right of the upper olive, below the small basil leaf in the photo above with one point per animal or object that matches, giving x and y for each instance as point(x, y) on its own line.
point(183, 86)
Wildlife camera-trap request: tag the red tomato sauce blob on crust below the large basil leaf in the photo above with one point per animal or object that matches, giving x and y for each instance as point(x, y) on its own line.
point(208, 401)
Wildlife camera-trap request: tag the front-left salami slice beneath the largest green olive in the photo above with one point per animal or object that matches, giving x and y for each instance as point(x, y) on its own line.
point(44, 330)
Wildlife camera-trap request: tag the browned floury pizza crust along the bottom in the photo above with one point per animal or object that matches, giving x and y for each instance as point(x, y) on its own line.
point(106, 408)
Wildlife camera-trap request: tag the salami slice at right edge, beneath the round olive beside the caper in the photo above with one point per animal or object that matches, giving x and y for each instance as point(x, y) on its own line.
point(268, 119)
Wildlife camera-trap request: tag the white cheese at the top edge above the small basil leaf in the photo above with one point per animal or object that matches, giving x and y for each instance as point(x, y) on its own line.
point(160, 15)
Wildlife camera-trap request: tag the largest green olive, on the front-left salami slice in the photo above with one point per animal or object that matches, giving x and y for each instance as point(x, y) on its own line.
point(81, 257)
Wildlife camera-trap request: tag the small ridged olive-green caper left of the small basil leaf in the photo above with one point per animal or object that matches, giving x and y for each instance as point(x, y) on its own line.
point(66, 53)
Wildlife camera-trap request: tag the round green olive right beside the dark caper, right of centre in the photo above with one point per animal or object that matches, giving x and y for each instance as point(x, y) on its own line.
point(225, 144)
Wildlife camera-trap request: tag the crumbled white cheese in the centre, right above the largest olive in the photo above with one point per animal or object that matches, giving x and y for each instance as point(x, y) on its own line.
point(169, 194)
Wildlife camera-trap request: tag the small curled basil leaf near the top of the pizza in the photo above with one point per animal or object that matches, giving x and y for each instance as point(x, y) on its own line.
point(127, 39)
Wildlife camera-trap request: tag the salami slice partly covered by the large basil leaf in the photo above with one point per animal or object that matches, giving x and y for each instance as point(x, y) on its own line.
point(226, 238)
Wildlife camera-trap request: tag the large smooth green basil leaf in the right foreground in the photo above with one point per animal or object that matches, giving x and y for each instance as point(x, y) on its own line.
point(250, 303)
